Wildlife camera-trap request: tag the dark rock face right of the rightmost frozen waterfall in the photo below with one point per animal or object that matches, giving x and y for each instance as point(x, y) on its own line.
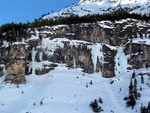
point(139, 55)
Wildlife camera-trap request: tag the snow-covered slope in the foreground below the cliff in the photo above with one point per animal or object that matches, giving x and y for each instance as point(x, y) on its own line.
point(65, 91)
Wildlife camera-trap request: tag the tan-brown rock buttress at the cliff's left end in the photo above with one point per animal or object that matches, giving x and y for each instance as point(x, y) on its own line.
point(16, 65)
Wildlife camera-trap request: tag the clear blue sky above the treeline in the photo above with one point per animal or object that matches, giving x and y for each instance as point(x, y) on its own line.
point(28, 10)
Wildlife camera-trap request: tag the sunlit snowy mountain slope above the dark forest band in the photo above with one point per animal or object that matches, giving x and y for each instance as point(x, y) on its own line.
point(85, 7)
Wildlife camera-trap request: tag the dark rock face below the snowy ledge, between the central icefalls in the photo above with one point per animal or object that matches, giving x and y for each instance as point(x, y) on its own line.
point(81, 56)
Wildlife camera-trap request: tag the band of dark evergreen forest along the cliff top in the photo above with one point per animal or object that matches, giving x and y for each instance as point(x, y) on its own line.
point(17, 31)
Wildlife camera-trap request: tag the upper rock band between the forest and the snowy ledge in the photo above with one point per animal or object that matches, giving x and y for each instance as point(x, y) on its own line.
point(111, 33)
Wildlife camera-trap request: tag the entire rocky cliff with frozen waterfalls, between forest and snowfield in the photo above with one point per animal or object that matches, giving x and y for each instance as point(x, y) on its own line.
point(94, 47)
